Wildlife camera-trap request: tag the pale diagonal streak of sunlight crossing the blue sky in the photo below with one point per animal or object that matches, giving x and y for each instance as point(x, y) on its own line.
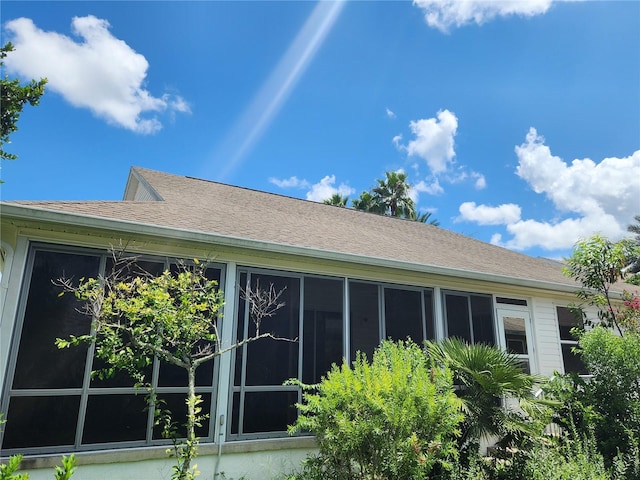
point(254, 121)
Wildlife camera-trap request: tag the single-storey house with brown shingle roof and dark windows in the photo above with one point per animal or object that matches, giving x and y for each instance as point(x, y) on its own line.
point(351, 278)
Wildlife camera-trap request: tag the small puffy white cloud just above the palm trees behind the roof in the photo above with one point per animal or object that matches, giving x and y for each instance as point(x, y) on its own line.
point(433, 140)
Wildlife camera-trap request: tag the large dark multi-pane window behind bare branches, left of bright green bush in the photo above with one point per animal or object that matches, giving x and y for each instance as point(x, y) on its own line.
point(313, 315)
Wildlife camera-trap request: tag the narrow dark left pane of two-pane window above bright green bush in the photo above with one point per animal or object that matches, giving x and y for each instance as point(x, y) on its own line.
point(364, 318)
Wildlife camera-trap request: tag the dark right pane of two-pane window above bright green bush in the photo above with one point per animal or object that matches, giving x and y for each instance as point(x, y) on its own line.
point(403, 314)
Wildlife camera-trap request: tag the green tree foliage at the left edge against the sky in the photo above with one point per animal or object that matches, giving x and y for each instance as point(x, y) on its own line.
point(13, 97)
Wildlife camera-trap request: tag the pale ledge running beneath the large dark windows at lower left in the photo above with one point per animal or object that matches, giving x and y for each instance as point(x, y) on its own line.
point(125, 455)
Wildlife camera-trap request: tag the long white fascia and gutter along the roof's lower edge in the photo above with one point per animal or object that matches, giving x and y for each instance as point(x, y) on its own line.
point(29, 212)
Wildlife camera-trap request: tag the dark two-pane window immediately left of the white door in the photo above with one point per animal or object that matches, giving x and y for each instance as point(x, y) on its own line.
point(469, 317)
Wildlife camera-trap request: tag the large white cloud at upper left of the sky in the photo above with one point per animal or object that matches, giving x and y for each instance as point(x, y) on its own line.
point(101, 72)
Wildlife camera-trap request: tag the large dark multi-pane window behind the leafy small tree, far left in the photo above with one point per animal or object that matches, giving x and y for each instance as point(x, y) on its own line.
point(50, 391)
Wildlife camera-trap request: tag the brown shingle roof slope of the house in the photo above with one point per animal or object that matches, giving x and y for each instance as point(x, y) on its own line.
point(209, 207)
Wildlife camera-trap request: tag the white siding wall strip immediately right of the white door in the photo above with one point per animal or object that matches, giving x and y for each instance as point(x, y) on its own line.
point(545, 326)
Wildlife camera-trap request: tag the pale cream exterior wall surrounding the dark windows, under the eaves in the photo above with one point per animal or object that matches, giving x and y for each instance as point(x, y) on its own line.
point(241, 458)
